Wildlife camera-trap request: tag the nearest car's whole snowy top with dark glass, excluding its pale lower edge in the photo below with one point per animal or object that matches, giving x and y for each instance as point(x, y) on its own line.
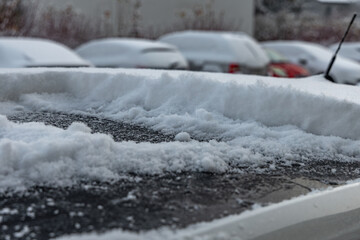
point(149, 151)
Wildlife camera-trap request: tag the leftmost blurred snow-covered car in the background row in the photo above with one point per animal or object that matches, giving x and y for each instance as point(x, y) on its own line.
point(32, 52)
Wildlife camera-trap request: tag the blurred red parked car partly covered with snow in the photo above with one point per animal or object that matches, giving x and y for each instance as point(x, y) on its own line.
point(280, 66)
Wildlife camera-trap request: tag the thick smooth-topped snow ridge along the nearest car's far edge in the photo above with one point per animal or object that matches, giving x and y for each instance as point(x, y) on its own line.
point(195, 103)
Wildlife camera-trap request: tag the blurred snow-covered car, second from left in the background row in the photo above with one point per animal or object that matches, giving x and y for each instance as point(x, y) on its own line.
point(132, 53)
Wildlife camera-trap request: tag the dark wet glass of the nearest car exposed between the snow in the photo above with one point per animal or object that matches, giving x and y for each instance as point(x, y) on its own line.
point(142, 202)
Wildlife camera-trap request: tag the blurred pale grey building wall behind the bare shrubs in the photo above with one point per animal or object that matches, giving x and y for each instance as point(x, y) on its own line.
point(158, 16)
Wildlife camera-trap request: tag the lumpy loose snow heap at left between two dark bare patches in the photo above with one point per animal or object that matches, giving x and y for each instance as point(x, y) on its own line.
point(33, 153)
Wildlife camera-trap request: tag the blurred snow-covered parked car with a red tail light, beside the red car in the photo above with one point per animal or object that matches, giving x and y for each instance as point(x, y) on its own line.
point(220, 51)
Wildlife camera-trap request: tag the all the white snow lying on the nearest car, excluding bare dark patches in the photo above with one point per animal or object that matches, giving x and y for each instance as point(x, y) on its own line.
point(258, 119)
